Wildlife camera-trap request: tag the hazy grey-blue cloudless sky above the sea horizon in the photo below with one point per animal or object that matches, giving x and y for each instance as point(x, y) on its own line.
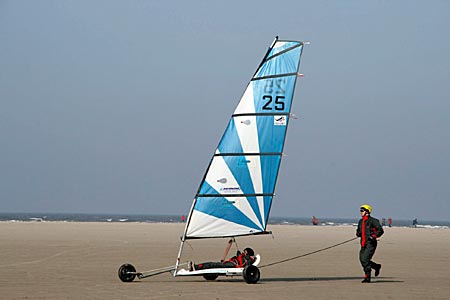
point(117, 106)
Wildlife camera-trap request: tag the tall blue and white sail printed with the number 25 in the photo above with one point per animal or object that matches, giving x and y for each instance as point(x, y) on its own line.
point(235, 195)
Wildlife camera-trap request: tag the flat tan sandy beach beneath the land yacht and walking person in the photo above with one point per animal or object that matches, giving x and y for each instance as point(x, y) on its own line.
point(70, 260)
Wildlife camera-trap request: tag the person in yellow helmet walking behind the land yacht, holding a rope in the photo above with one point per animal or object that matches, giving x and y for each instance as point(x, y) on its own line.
point(369, 229)
